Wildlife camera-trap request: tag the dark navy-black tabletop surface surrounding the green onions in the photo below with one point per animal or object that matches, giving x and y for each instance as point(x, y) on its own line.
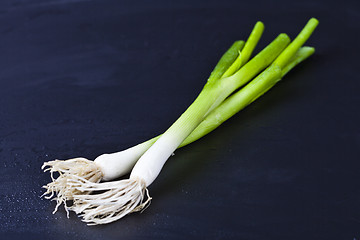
point(80, 78)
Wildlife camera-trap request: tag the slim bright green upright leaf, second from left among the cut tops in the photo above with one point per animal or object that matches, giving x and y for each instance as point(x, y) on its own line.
point(249, 47)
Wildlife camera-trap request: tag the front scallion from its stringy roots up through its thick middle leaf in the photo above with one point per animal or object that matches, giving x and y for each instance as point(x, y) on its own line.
point(119, 198)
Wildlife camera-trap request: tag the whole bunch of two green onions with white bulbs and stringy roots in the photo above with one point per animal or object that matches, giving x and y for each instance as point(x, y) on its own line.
point(234, 83)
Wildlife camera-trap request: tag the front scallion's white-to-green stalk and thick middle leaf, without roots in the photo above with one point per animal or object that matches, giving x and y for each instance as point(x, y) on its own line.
point(151, 162)
